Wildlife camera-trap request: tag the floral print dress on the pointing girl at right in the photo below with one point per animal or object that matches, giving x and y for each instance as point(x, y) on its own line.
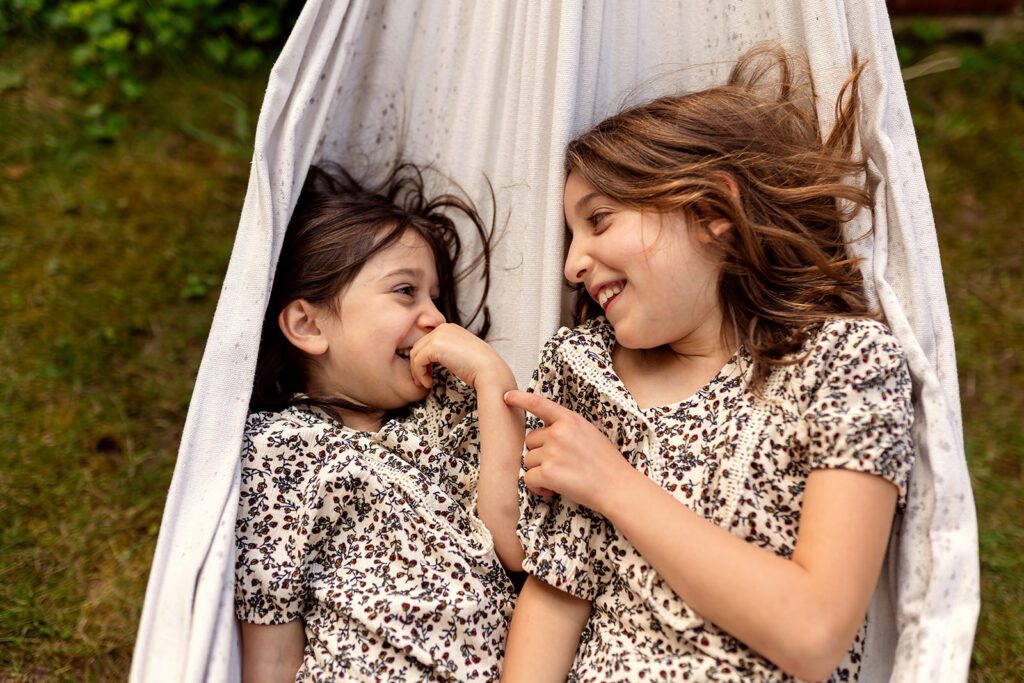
point(739, 461)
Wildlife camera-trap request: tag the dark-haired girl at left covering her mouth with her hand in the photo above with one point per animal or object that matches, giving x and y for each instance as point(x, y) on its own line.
point(380, 463)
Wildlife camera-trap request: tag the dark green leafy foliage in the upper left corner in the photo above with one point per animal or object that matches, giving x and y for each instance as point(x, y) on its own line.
point(115, 47)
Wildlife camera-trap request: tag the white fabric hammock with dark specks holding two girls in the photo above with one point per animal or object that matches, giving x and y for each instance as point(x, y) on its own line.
point(498, 89)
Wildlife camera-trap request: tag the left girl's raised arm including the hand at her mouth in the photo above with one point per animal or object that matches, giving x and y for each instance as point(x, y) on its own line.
point(502, 428)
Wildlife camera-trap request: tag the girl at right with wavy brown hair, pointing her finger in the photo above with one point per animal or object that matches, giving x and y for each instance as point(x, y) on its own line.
point(726, 446)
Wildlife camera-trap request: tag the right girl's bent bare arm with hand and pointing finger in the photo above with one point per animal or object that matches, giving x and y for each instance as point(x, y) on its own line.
point(800, 614)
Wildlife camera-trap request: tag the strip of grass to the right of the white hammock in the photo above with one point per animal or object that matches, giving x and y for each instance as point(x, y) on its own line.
point(970, 125)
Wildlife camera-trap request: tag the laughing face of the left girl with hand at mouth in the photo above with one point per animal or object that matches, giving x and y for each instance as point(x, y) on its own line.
point(387, 309)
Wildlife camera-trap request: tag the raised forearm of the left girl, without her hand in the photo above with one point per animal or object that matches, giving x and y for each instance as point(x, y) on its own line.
point(502, 433)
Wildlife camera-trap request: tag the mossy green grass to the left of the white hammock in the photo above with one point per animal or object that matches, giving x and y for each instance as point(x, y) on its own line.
point(111, 259)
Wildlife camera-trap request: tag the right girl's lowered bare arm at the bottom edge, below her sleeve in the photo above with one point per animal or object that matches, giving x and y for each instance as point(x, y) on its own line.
point(544, 634)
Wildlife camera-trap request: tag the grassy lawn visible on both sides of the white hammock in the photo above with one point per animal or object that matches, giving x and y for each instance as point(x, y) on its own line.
point(111, 261)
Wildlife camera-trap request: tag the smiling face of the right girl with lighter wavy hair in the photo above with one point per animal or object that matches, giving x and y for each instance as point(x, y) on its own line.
point(656, 279)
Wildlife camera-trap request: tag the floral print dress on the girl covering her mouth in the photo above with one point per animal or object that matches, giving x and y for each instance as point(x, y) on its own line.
point(373, 541)
